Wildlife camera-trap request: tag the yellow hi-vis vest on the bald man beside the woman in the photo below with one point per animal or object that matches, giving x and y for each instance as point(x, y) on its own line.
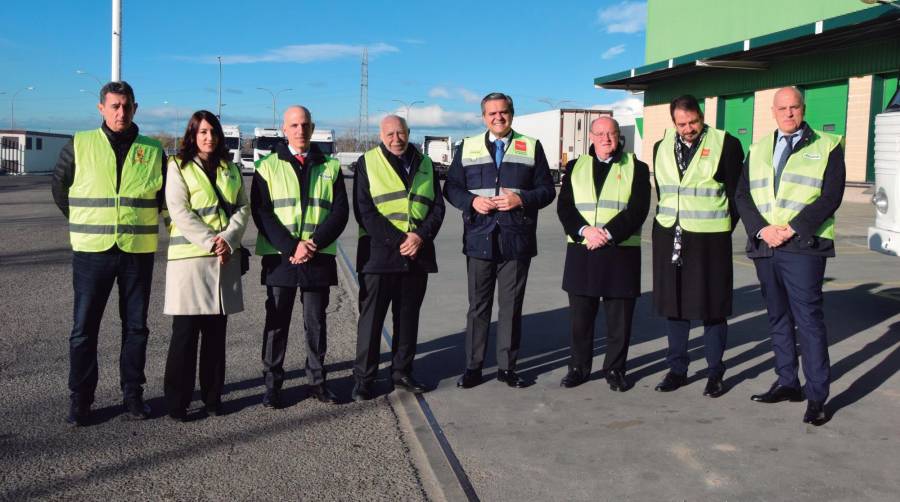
point(284, 189)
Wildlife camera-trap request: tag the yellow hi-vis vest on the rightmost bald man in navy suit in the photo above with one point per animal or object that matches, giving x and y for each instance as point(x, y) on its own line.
point(801, 179)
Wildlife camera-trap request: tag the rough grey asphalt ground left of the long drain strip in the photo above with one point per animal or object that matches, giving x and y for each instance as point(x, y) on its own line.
point(306, 451)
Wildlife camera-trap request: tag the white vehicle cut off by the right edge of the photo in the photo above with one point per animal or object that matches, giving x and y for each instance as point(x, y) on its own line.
point(884, 237)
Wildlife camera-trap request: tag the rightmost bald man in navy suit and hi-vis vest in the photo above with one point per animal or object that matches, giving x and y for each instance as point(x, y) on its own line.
point(792, 184)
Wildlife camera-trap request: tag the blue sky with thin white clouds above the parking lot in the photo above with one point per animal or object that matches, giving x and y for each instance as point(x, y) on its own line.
point(445, 54)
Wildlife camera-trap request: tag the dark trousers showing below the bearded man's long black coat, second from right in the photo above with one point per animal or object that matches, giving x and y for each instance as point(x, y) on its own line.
point(715, 334)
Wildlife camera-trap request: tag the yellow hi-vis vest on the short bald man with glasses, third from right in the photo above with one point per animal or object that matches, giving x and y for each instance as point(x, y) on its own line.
point(614, 194)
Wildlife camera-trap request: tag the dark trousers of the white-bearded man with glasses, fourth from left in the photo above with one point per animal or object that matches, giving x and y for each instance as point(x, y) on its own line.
point(404, 293)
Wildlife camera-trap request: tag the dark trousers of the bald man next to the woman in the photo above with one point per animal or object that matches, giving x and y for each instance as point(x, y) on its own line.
point(279, 308)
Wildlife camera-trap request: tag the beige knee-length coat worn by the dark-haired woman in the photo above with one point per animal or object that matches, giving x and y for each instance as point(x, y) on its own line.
point(201, 286)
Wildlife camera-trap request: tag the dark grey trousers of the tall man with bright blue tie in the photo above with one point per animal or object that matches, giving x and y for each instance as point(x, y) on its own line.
point(511, 276)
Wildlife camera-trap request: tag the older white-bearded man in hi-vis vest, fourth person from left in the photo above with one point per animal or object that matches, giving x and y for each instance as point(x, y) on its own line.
point(397, 203)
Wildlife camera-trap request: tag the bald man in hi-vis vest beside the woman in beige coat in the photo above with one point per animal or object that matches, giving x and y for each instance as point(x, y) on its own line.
point(299, 204)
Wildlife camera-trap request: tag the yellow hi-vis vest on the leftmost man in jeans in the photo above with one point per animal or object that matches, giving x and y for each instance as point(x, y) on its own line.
point(101, 216)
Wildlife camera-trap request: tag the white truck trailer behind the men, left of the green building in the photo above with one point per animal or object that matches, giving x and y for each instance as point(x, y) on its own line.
point(562, 132)
